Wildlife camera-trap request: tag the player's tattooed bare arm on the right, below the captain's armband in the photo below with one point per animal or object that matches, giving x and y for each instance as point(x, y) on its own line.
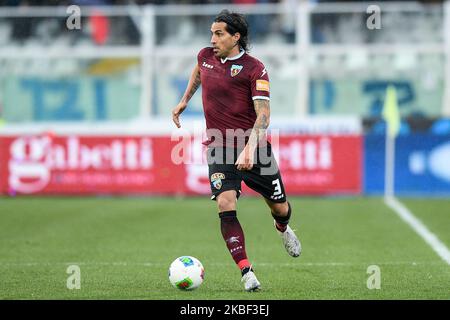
point(246, 158)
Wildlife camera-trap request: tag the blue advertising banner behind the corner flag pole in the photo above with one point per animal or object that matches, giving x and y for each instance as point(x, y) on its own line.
point(422, 164)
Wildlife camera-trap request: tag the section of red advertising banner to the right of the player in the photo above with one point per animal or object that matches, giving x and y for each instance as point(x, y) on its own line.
point(321, 164)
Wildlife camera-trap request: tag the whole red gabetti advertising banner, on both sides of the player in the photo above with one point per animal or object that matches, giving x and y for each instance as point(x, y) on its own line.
point(78, 164)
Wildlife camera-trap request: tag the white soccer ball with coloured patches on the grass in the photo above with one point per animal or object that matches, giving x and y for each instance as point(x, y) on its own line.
point(186, 273)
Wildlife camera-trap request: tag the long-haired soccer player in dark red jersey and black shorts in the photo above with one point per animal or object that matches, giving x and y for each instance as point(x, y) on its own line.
point(236, 95)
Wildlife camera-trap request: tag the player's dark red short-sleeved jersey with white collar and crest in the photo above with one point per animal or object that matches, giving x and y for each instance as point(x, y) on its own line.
point(229, 87)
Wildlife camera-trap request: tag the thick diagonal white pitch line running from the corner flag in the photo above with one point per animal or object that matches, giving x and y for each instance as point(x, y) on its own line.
point(418, 227)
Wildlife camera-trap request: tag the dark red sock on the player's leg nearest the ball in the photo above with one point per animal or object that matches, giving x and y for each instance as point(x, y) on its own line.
point(234, 237)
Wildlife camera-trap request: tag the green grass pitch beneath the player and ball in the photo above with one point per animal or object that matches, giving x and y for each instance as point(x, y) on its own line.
point(124, 247)
